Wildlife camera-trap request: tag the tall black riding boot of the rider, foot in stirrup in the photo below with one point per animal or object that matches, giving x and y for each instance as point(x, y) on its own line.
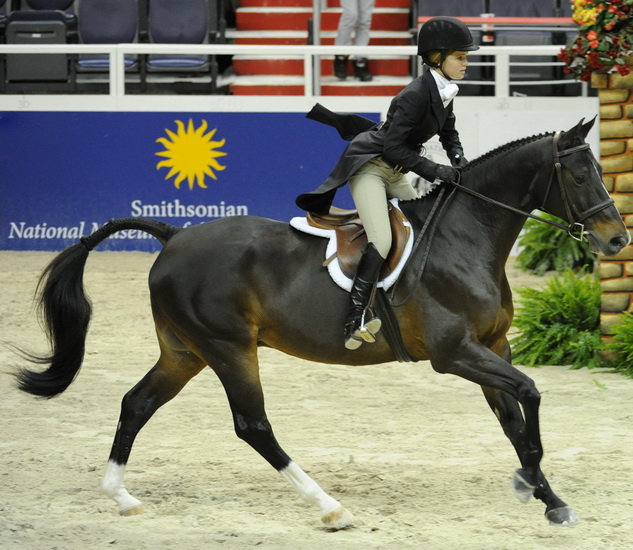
point(361, 325)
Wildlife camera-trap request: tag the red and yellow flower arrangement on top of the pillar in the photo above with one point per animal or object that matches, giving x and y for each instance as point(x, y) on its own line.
point(604, 40)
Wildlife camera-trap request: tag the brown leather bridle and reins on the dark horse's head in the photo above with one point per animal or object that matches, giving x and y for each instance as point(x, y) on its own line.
point(576, 228)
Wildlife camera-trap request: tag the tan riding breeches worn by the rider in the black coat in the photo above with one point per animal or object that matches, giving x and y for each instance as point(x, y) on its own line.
point(371, 186)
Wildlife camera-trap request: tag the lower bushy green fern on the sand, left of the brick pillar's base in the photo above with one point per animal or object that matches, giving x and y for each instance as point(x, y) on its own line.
point(560, 324)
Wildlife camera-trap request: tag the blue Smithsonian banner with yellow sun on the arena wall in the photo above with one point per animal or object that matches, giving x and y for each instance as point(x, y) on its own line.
point(64, 174)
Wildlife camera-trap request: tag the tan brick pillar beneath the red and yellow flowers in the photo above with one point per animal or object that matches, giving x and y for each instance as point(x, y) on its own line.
point(616, 157)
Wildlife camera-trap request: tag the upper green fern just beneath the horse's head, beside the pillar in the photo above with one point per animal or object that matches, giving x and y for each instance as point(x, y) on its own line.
point(548, 248)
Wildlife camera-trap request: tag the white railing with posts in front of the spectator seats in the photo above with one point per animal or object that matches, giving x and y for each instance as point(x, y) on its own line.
point(311, 54)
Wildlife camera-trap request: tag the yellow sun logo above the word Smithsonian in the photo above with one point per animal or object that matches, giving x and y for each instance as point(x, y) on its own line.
point(191, 154)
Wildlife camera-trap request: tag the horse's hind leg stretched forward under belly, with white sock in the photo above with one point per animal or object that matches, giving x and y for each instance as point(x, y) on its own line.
point(246, 399)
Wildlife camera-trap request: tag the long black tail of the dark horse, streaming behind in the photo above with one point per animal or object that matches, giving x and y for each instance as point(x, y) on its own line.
point(66, 310)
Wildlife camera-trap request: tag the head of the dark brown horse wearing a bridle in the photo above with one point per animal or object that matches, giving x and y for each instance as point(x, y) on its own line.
point(577, 194)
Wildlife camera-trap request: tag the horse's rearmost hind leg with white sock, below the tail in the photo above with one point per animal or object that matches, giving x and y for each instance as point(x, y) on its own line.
point(161, 384)
